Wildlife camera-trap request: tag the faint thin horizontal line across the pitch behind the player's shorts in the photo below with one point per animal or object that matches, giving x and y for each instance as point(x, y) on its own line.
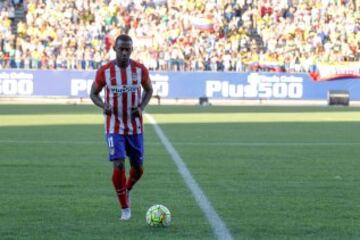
point(211, 144)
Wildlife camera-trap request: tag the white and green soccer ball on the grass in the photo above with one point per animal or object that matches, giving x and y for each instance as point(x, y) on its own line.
point(158, 215)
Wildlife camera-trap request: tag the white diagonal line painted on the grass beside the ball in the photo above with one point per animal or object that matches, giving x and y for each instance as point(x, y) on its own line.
point(217, 224)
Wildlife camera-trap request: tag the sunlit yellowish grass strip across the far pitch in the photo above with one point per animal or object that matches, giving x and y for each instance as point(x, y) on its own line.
point(70, 119)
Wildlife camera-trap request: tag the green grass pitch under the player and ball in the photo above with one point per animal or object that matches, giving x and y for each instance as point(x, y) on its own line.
point(269, 172)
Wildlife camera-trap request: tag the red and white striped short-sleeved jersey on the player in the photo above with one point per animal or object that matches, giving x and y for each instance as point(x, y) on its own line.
point(123, 92)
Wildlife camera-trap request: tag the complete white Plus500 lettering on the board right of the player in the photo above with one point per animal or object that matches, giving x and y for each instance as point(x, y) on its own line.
point(259, 86)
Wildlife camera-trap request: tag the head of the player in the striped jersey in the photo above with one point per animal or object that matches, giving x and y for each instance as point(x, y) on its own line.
point(123, 47)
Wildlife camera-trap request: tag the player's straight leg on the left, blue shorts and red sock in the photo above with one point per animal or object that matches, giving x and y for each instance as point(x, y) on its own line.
point(116, 147)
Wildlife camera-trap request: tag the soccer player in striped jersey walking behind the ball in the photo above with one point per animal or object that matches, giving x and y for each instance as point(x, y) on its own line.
point(123, 80)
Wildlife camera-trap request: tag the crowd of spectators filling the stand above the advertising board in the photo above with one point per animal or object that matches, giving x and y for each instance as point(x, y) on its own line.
point(187, 35)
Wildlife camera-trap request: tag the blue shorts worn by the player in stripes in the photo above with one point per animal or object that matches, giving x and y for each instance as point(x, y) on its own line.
point(120, 146)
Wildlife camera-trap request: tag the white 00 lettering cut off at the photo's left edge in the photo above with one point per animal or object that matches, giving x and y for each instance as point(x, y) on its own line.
point(16, 87)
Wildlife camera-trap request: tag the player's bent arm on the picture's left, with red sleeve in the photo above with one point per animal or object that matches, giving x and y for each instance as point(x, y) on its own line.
point(96, 88)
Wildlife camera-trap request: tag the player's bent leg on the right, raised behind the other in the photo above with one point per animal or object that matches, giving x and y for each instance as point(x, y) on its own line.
point(135, 150)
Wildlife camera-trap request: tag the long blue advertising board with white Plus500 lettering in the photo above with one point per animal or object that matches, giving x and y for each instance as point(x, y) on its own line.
point(182, 85)
